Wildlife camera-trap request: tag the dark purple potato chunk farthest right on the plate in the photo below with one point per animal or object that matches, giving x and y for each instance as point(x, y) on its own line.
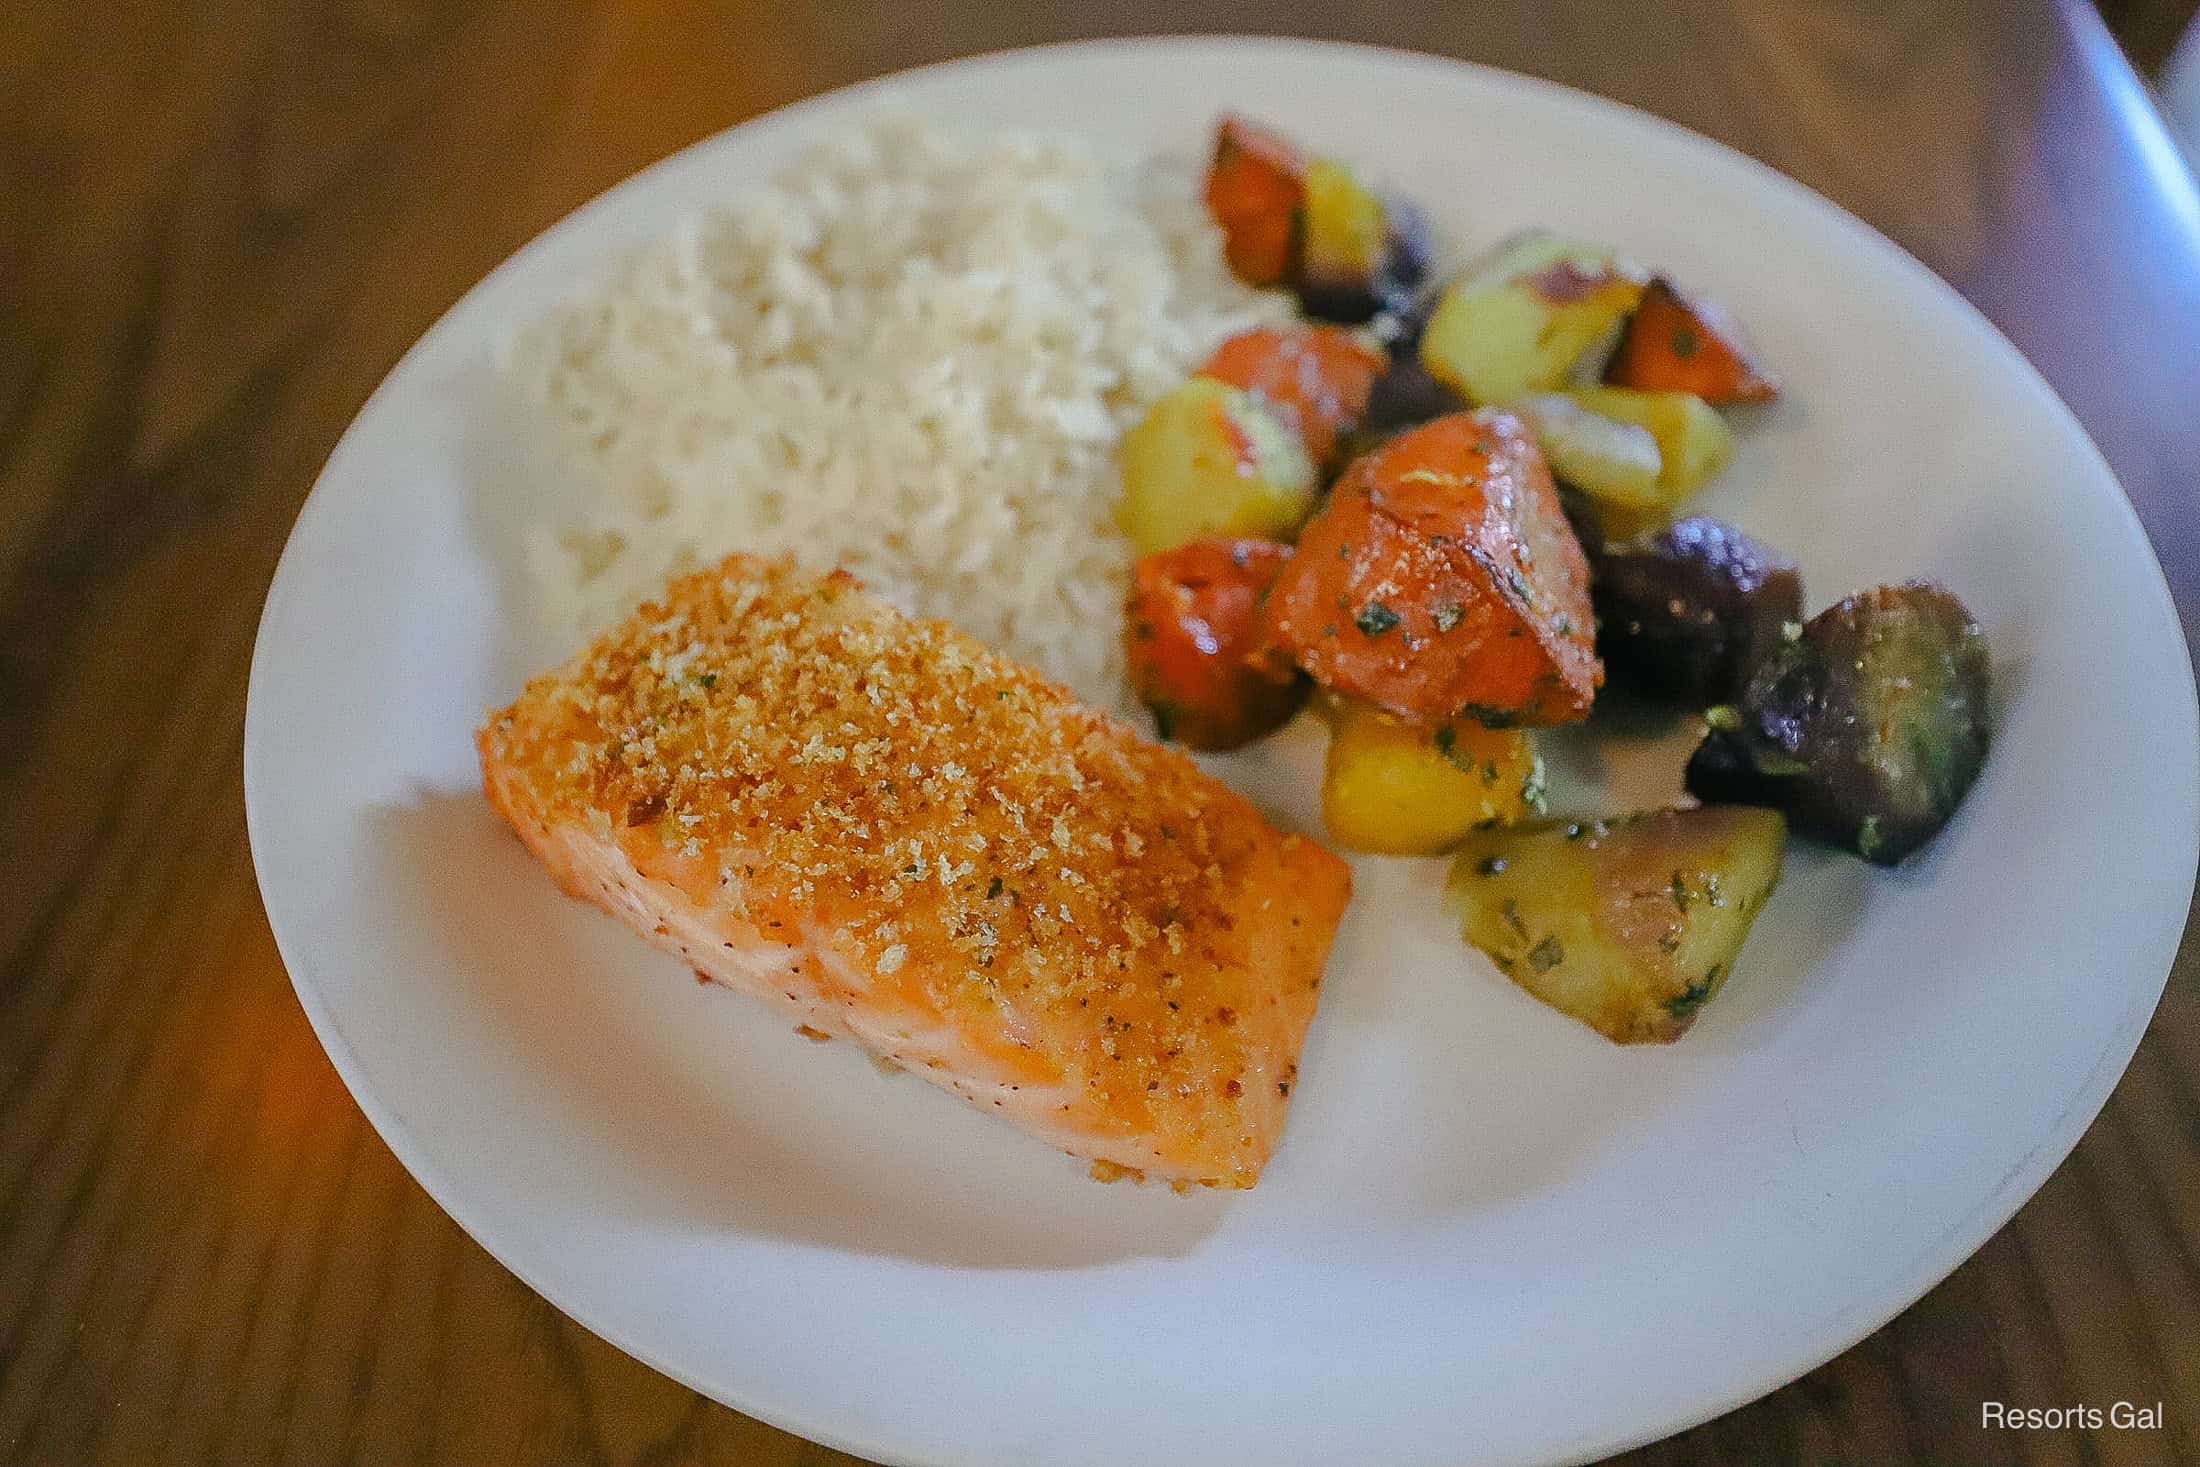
point(1867, 729)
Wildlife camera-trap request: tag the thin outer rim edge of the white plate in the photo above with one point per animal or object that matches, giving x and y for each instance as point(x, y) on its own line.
point(1930, 1266)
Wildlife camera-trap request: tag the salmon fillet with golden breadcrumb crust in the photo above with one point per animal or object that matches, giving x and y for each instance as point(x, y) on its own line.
point(905, 839)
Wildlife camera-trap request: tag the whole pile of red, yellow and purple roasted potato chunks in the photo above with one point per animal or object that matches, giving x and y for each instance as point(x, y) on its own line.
point(1449, 514)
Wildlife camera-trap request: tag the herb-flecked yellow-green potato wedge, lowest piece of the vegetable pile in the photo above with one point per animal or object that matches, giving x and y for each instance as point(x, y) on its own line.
point(1627, 925)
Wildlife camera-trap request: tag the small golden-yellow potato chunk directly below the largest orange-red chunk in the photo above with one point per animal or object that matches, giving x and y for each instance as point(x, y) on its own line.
point(1409, 791)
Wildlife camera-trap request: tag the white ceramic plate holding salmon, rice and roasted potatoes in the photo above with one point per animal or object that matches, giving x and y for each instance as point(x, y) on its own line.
point(1488, 1235)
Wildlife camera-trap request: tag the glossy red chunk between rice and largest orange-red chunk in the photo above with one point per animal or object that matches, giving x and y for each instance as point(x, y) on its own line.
point(1196, 648)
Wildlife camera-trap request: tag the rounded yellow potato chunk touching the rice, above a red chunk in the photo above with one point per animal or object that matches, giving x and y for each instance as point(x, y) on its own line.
point(1213, 461)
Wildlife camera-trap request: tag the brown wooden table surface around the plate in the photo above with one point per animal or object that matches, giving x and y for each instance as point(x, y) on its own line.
point(221, 221)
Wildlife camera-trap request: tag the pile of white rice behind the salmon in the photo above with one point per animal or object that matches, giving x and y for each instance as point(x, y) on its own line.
point(912, 357)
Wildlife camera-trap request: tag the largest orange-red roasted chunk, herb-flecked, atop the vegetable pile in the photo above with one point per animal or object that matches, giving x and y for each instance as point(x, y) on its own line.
point(1442, 580)
